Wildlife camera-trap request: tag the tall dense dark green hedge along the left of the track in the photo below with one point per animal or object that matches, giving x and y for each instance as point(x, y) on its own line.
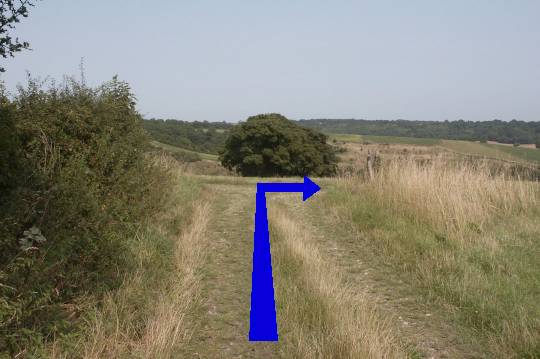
point(74, 179)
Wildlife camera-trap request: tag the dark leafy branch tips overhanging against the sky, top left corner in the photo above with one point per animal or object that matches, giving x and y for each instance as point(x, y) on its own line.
point(11, 11)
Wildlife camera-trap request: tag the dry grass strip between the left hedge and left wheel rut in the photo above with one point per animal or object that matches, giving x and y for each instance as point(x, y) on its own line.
point(165, 327)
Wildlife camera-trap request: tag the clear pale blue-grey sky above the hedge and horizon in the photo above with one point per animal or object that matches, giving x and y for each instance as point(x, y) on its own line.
point(226, 60)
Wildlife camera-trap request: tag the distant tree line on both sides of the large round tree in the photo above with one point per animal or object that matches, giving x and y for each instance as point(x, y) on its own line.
point(210, 137)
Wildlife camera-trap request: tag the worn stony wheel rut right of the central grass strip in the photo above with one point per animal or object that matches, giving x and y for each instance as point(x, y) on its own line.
point(425, 330)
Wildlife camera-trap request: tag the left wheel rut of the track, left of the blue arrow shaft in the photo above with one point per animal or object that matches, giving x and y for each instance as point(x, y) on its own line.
point(224, 319)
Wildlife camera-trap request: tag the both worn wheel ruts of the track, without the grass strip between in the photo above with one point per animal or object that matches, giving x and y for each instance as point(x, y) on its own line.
point(223, 320)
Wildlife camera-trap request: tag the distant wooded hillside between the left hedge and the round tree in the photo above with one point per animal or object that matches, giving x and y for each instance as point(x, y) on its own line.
point(206, 137)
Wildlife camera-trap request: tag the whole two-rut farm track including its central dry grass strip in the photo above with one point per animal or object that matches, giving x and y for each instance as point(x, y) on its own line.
point(333, 297)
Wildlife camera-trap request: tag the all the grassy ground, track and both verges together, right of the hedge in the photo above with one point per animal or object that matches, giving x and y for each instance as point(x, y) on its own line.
point(434, 259)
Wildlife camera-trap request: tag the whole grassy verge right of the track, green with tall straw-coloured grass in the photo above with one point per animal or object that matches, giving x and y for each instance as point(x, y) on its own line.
point(464, 238)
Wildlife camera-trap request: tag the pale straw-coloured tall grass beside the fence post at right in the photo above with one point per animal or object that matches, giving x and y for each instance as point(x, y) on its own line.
point(452, 197)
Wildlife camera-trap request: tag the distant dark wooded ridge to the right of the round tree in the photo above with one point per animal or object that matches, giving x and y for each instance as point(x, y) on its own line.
point(500, 131)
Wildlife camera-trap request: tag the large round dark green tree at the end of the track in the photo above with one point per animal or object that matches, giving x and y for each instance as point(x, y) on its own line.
point(271, 145)
